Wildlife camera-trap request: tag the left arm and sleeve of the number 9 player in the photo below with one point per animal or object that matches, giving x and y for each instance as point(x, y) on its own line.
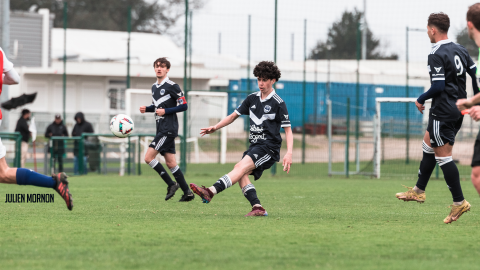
point(437, 70)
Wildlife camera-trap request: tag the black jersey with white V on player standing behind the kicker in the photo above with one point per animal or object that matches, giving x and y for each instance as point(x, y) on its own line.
point(166, 95)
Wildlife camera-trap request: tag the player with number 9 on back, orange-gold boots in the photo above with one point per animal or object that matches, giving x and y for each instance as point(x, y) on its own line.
point(448, 64)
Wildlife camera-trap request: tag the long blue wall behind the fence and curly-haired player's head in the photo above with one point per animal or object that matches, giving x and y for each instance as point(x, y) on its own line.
point(292, 94)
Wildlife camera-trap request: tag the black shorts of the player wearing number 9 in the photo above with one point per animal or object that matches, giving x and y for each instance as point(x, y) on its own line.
point(443, 132)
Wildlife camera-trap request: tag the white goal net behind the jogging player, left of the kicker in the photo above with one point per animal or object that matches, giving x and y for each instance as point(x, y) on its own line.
point(204, 109)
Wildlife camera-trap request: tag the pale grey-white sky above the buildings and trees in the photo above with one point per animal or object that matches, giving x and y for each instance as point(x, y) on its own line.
point(386, 18)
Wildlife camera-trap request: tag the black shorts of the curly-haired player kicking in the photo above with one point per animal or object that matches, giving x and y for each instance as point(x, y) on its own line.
point(263, 158)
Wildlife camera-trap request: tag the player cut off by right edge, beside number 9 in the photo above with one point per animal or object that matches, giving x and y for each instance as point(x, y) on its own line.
point(473, 26)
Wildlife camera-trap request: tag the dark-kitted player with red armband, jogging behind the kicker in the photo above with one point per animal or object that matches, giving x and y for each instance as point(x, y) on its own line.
point(166, 94)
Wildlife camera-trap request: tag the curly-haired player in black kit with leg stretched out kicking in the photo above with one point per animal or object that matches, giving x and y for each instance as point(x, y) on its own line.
point(268, 113)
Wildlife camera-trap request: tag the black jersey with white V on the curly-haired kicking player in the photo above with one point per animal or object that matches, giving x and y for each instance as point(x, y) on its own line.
point(266, 118)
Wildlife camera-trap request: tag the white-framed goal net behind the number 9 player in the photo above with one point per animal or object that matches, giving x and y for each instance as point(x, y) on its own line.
point(400, 129)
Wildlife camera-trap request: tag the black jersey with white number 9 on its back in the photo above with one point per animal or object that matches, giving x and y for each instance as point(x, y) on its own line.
point(448, 61)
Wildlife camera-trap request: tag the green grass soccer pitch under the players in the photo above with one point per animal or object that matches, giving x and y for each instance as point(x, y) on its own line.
point(324, 223)
